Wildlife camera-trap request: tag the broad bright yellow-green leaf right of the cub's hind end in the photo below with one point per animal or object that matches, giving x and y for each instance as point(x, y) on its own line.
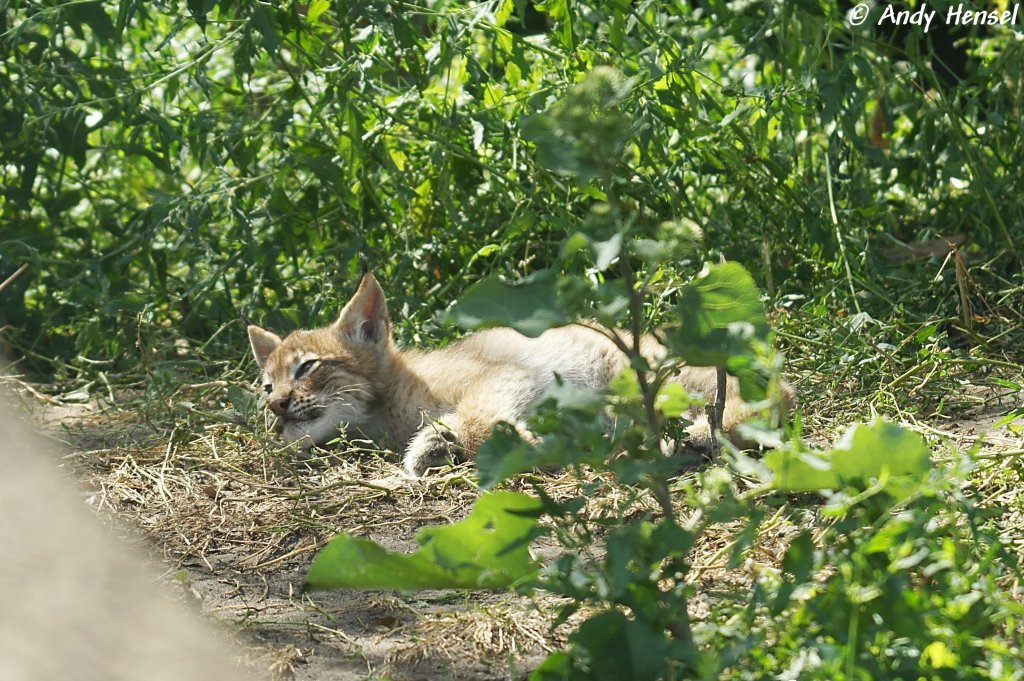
point(879, 453)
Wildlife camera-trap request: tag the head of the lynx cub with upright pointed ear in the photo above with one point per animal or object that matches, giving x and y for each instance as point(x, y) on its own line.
point(320, 381)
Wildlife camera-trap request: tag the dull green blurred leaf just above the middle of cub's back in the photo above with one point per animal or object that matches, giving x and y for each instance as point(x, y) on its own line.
point(531, 307)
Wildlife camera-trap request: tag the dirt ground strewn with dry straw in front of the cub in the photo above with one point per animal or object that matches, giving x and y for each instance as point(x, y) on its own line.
point(236, 523)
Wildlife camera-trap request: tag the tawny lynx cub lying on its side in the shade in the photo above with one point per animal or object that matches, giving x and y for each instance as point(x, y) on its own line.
point(350, 376)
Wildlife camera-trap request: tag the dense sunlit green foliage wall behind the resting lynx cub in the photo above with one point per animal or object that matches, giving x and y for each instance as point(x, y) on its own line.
point(169, 167)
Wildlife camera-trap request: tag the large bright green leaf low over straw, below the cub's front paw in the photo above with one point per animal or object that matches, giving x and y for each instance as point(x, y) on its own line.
point(488, 550)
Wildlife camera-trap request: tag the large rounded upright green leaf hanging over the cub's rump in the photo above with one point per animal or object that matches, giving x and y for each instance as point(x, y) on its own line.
point(720, 315)
